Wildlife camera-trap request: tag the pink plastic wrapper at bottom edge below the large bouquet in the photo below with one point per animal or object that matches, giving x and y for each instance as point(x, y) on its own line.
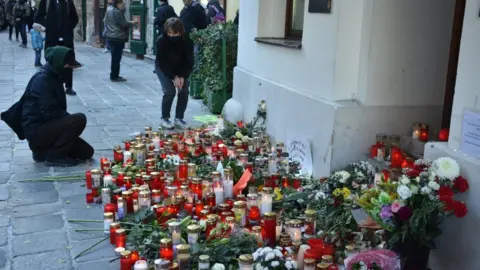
point(384, 258)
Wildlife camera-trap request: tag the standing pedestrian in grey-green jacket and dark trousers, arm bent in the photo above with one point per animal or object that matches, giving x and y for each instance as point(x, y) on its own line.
point(116, 32)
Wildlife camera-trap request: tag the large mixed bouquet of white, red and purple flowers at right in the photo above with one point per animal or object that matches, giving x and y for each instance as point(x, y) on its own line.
point(412, 207)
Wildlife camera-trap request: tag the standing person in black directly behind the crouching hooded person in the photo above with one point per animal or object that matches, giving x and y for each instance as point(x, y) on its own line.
point(59, 18)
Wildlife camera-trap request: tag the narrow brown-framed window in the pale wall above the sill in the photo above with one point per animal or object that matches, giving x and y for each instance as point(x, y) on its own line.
point(294, 19)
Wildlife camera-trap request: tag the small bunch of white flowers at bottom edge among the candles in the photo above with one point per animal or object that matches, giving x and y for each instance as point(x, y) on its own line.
point(272, 259)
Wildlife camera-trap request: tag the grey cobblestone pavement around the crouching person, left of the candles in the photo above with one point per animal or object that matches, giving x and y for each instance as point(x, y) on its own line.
point(34, 232)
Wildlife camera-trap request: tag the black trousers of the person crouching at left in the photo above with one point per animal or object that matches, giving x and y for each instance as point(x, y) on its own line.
point(60, 138)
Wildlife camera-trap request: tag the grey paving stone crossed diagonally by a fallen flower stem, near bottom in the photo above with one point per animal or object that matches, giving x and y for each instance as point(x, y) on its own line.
point(103, 251)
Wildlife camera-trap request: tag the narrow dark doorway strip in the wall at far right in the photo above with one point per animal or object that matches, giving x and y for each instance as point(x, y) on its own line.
point(453, 62)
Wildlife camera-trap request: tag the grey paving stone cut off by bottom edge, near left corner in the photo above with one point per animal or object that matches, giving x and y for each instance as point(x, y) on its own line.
point(54, 260)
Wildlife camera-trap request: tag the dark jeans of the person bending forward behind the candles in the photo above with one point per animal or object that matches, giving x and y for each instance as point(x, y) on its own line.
point(169, 93)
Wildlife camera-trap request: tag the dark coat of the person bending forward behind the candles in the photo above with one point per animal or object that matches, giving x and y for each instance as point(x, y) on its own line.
point(174, 58)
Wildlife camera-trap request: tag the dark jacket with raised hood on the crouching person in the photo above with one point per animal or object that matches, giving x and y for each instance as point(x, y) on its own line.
point(44, 98)
